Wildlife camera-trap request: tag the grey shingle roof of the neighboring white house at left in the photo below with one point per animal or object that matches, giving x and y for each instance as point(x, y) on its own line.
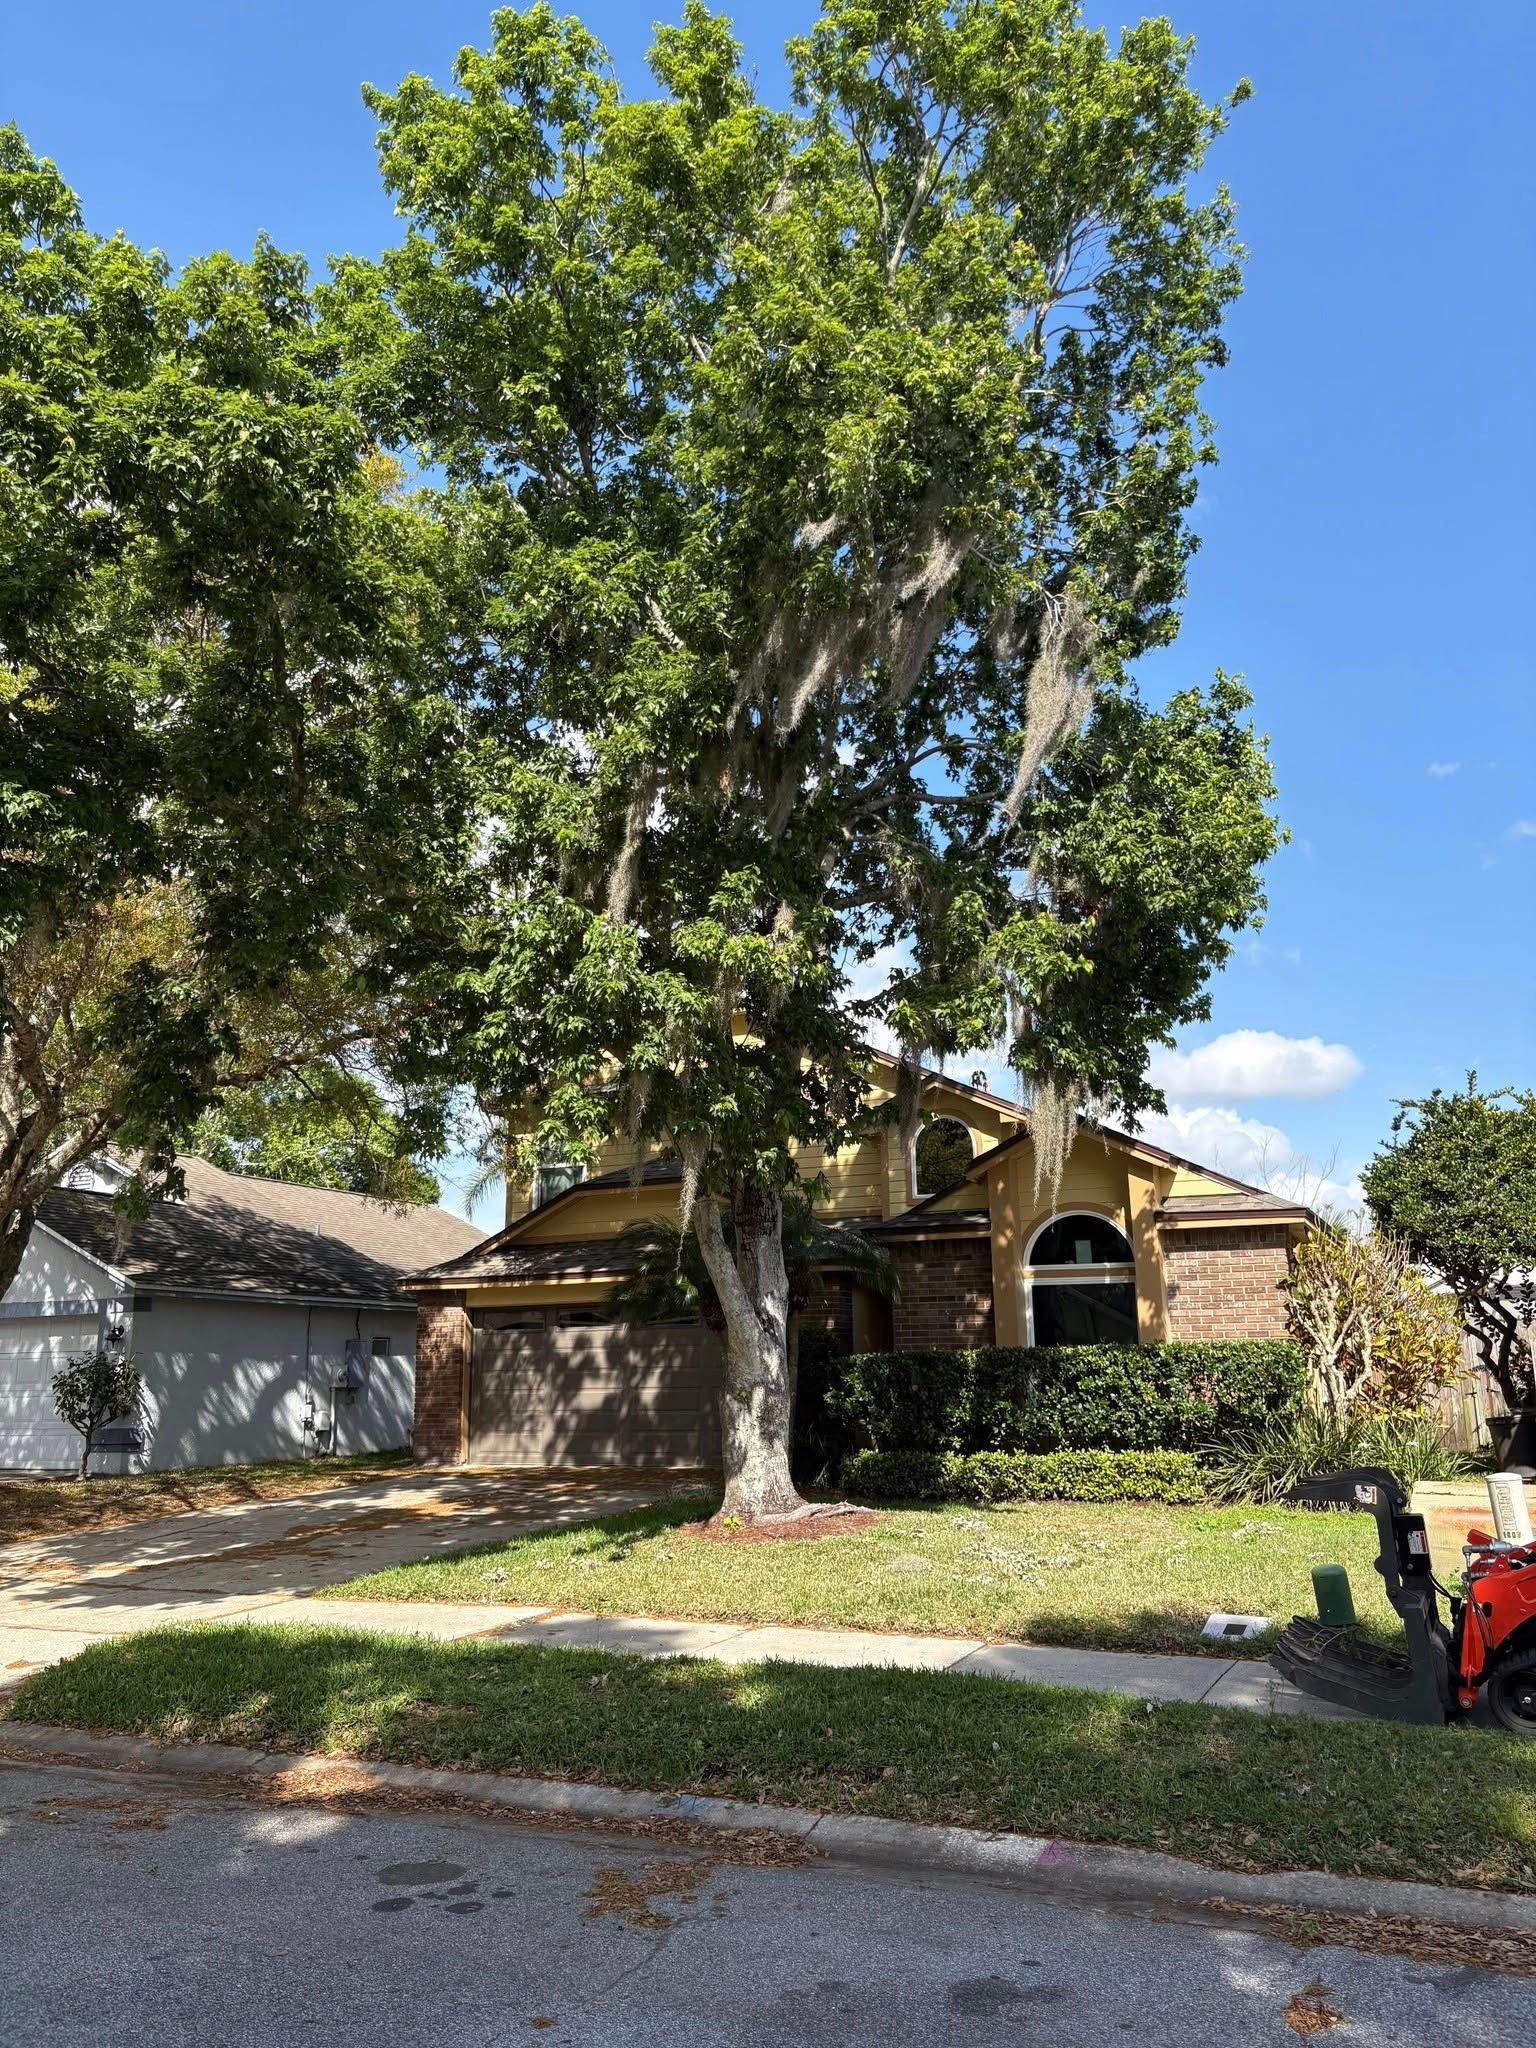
point(245, 1236)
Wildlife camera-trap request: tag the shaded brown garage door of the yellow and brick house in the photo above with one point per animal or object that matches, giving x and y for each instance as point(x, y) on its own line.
point(609, 1396)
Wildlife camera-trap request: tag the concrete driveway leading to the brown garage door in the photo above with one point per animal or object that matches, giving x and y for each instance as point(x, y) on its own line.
point(253, 1560)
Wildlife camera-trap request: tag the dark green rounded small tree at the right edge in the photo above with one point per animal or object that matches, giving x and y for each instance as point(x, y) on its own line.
point(1457, 1185)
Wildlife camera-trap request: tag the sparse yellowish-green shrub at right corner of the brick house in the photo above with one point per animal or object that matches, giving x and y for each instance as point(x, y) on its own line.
point(1373, 1328)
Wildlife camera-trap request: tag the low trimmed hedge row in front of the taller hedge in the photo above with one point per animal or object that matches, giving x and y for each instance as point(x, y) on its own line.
point(1170, 1478)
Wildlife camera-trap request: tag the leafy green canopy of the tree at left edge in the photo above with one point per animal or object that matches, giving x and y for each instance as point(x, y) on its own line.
point(226, 744)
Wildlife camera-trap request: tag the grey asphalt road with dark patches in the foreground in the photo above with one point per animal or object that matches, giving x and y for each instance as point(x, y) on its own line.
point(134, 1912)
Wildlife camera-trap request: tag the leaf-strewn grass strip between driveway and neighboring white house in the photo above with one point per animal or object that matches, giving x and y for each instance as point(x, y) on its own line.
point(67, 1506)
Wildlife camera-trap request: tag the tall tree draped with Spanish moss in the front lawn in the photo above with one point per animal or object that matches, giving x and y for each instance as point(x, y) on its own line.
point(824, 470)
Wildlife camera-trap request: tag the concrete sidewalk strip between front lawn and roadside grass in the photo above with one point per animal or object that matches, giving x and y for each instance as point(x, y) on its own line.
point(1205, 1680)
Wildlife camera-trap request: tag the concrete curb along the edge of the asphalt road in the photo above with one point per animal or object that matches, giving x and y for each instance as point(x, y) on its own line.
point(1025, 1863)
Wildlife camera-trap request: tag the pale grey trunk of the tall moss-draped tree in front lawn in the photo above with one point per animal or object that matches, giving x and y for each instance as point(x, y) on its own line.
point(757, 1400)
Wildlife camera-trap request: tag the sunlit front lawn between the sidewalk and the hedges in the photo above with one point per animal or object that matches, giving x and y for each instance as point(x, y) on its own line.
point(1107, 1578)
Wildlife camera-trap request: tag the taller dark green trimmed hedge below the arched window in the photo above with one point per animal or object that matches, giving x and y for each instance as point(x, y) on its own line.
point(1068, 1398)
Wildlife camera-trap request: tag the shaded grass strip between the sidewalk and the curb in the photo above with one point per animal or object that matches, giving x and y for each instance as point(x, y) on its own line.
point(1232, 1789)
